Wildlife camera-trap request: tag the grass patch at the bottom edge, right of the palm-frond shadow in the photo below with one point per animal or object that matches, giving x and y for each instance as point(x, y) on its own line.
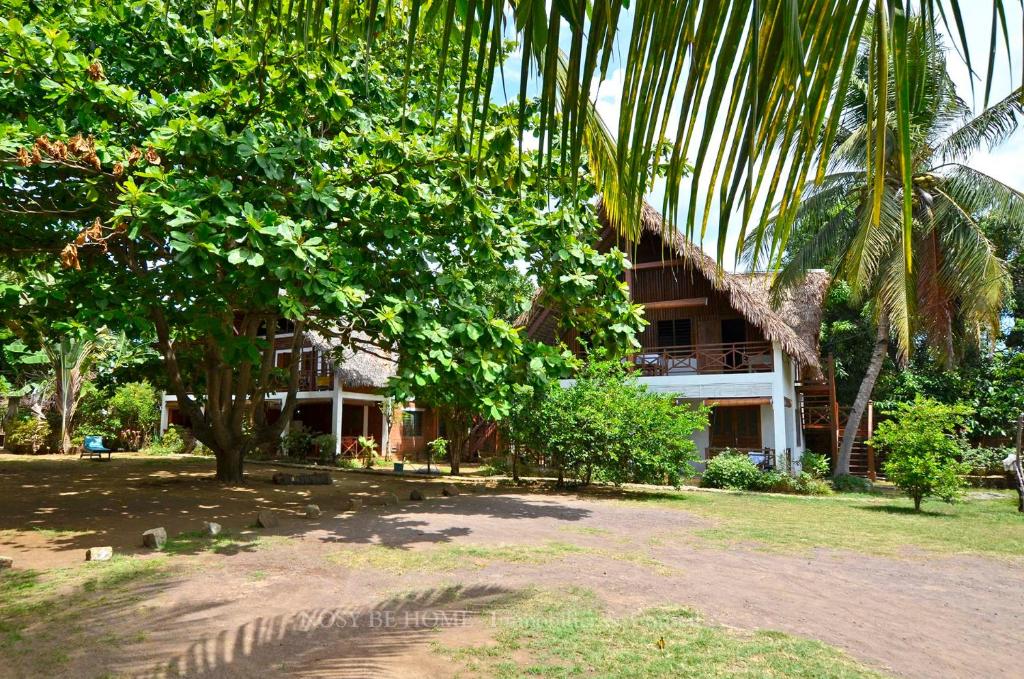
point(568, 634)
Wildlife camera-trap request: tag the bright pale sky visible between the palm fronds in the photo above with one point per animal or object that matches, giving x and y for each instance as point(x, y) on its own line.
point(1006, 163)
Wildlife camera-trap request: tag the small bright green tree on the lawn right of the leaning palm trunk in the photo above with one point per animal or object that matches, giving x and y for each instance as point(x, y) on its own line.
point(923, 444)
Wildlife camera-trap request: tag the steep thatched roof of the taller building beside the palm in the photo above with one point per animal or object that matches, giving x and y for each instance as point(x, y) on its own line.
point(795, 325)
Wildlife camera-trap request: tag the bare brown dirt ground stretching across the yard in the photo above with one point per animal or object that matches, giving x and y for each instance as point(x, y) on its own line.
point(293, 609)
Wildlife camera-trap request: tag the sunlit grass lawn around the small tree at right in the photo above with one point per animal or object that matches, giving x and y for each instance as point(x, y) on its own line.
point(870, 525)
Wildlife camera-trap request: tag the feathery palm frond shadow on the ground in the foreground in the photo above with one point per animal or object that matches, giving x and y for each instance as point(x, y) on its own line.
point(330, 643)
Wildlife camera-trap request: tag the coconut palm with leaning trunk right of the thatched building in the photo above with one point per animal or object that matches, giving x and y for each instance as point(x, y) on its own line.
point(935, 278)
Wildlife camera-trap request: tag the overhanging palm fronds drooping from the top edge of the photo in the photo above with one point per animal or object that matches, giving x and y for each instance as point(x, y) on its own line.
point(752, 73)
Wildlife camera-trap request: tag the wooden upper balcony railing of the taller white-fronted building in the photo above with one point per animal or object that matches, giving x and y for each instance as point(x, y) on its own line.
point(705, 359)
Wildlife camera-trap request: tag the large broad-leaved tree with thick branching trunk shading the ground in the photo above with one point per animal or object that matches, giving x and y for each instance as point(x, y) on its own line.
point(203, 183)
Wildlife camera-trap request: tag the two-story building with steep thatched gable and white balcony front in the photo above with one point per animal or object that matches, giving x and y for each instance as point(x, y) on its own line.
point(716, 338)
